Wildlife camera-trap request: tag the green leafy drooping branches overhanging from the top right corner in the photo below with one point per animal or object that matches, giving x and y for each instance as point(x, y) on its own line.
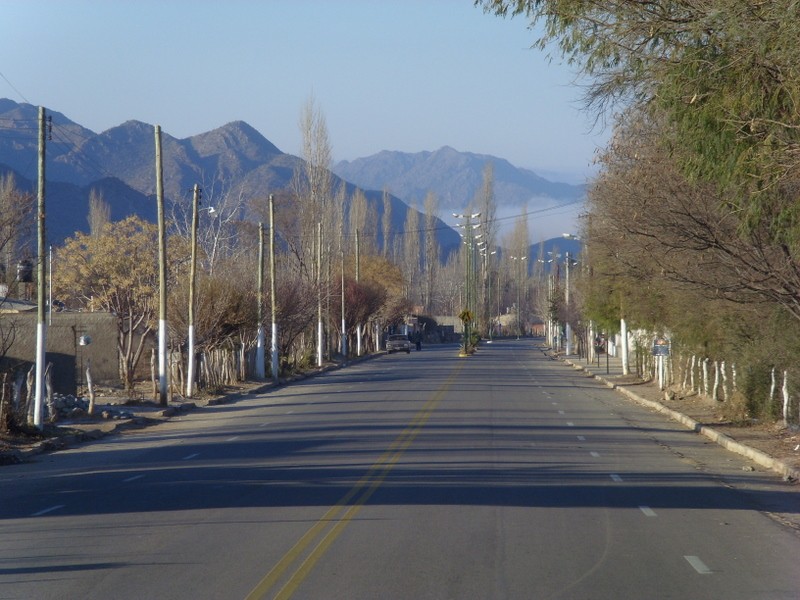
point(723, 74)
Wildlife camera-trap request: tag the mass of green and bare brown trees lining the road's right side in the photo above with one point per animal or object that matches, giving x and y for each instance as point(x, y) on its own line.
point(693, 224)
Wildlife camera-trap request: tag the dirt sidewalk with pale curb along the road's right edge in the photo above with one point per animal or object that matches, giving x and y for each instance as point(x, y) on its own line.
point(772, 447)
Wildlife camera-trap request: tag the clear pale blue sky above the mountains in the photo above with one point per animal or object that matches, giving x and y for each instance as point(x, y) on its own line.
point(408, 75)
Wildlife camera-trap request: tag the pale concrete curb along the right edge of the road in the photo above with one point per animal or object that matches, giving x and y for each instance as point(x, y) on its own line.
point(788, 472)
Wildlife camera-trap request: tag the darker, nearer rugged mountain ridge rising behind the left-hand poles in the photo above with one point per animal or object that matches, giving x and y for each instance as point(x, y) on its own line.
point(121, 163)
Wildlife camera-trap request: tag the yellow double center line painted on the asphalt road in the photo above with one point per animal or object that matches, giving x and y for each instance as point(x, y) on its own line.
point(325, 531)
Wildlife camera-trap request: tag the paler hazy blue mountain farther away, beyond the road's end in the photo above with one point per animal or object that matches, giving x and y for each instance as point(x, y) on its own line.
point(455, 177)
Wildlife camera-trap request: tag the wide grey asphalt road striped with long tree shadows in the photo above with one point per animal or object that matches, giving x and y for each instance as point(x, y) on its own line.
point(504, 475)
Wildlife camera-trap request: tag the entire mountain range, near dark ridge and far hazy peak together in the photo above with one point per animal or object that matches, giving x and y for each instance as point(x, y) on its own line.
point(119, 163)
